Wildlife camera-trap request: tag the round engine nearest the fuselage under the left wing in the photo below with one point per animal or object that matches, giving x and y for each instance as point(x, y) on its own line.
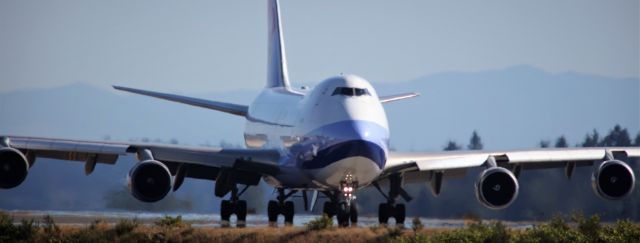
point(150, 181)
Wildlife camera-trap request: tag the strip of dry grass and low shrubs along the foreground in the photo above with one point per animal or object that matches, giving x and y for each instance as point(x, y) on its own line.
point(584, 229)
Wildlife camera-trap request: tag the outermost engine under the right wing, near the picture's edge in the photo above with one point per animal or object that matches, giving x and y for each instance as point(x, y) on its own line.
point(613, 180)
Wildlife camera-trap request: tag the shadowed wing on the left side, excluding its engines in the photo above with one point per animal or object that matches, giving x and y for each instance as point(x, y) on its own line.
point(200, 162)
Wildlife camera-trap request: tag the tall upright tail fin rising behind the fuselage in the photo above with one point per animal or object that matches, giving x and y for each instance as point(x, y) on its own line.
point(277, 74)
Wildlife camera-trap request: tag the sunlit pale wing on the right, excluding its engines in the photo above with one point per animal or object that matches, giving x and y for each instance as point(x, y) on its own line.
point(524, 159)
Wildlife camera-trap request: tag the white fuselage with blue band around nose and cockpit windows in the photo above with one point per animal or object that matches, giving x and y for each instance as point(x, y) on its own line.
point(337, 130)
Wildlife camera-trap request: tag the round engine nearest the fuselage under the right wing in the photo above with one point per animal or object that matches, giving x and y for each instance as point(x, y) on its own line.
point(496, 188)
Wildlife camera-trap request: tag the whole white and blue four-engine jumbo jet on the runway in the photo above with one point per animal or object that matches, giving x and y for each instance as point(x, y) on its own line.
point(331, 140)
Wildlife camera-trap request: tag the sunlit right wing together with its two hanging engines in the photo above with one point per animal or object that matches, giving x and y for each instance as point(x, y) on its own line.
point(497, 185)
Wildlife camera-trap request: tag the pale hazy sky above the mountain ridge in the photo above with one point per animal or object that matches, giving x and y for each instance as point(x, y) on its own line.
point(193, 46)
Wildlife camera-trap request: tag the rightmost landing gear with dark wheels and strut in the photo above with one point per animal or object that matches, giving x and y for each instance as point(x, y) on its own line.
point(391, 209)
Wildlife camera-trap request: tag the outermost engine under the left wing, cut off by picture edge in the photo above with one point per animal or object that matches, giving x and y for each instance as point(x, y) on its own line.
point(14, 168)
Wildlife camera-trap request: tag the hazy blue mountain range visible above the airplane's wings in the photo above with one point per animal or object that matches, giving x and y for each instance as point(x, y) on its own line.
point(514, 107)
